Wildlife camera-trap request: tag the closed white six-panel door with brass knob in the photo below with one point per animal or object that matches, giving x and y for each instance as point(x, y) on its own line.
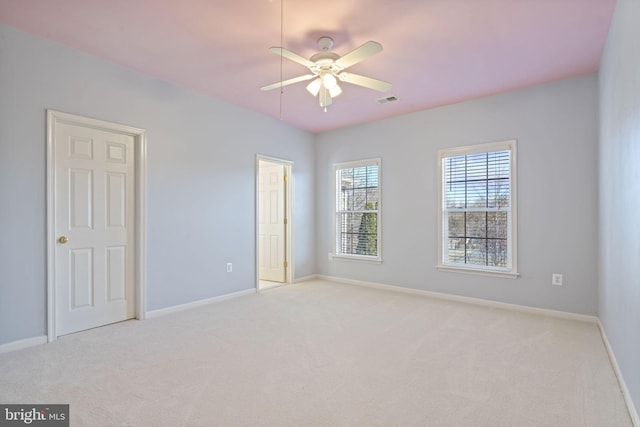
point(94, 224)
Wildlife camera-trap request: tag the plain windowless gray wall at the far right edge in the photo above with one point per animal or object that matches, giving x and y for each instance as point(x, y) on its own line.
point(619, 297)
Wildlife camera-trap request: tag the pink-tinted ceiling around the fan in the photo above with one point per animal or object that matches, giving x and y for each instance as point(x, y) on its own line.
point(436, 52)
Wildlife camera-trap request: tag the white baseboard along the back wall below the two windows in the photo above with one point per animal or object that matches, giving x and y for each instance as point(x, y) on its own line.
point(468, 300)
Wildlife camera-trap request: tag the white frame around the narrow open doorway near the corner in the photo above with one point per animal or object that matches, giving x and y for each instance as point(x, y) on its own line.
point(288, 241)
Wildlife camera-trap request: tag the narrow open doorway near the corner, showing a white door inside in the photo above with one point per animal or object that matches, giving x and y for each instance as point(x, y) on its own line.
point(273, 222)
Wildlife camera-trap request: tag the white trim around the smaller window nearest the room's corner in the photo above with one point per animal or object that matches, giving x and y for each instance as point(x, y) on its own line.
point(334, 254)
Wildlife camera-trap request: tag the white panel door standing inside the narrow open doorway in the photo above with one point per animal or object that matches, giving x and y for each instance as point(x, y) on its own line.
point(271, 222)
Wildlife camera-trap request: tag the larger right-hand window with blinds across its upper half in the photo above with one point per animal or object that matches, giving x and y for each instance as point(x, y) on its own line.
point(477, 229)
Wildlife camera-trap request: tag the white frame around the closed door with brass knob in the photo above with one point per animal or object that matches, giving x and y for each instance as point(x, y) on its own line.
point(140, 189)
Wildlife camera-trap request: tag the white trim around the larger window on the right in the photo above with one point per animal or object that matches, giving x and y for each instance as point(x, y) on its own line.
point(512, 239)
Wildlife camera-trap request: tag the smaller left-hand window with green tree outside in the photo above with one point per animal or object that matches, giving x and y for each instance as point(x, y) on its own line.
point(357, 210)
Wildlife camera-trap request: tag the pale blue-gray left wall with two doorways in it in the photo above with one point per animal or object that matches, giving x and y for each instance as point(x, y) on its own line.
point(201, 177)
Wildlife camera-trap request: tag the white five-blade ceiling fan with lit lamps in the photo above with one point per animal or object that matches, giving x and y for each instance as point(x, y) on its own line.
point(328, 67)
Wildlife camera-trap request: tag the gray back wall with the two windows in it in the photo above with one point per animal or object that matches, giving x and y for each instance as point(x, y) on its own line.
point(556, 128)
